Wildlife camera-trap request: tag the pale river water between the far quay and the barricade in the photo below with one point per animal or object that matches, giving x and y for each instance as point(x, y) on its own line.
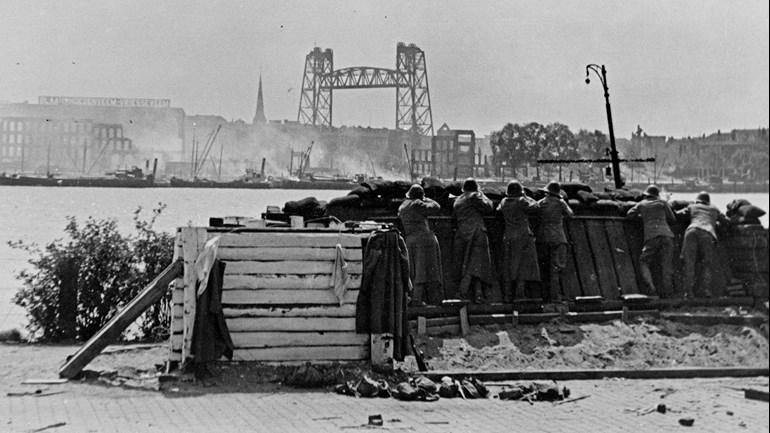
point(37, 214)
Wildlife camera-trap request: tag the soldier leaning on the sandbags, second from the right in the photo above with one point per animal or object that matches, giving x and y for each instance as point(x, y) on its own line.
point(656, 215)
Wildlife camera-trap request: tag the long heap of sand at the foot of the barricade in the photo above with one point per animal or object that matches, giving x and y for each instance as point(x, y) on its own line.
point(640, 345)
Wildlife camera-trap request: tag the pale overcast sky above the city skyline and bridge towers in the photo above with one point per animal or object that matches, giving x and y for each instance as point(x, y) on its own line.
point(677, 68)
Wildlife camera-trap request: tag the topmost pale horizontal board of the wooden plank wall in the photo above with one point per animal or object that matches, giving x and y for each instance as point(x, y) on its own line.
point(288, 240)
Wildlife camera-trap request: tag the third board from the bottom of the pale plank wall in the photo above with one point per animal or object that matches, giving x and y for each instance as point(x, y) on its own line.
point(334, 324)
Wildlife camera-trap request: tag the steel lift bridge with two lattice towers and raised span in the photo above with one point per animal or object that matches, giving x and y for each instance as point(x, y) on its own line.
point(410, 79)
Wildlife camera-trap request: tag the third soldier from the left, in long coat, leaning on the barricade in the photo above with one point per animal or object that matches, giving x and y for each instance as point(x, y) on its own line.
point(519, 253)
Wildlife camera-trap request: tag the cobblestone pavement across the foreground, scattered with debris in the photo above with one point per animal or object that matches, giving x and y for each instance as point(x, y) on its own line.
point(716, 405)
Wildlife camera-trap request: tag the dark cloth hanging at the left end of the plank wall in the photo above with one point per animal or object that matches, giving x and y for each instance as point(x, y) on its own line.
point(211, 338)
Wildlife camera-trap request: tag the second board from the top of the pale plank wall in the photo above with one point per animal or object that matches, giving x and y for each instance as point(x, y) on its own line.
point(278, 253)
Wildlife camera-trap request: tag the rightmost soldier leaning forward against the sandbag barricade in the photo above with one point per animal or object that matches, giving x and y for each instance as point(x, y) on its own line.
point(700, 244)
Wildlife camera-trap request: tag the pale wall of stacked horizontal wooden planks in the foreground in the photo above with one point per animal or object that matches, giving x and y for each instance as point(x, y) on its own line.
point(278, 300)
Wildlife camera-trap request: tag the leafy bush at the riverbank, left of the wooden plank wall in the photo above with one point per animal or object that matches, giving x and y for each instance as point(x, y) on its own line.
point(77, 285)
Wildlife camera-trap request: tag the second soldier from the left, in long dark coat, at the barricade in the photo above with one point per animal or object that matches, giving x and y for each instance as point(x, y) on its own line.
point(471, 246)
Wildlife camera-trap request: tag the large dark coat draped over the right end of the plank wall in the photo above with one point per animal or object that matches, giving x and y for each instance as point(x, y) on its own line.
point(381, 305)
